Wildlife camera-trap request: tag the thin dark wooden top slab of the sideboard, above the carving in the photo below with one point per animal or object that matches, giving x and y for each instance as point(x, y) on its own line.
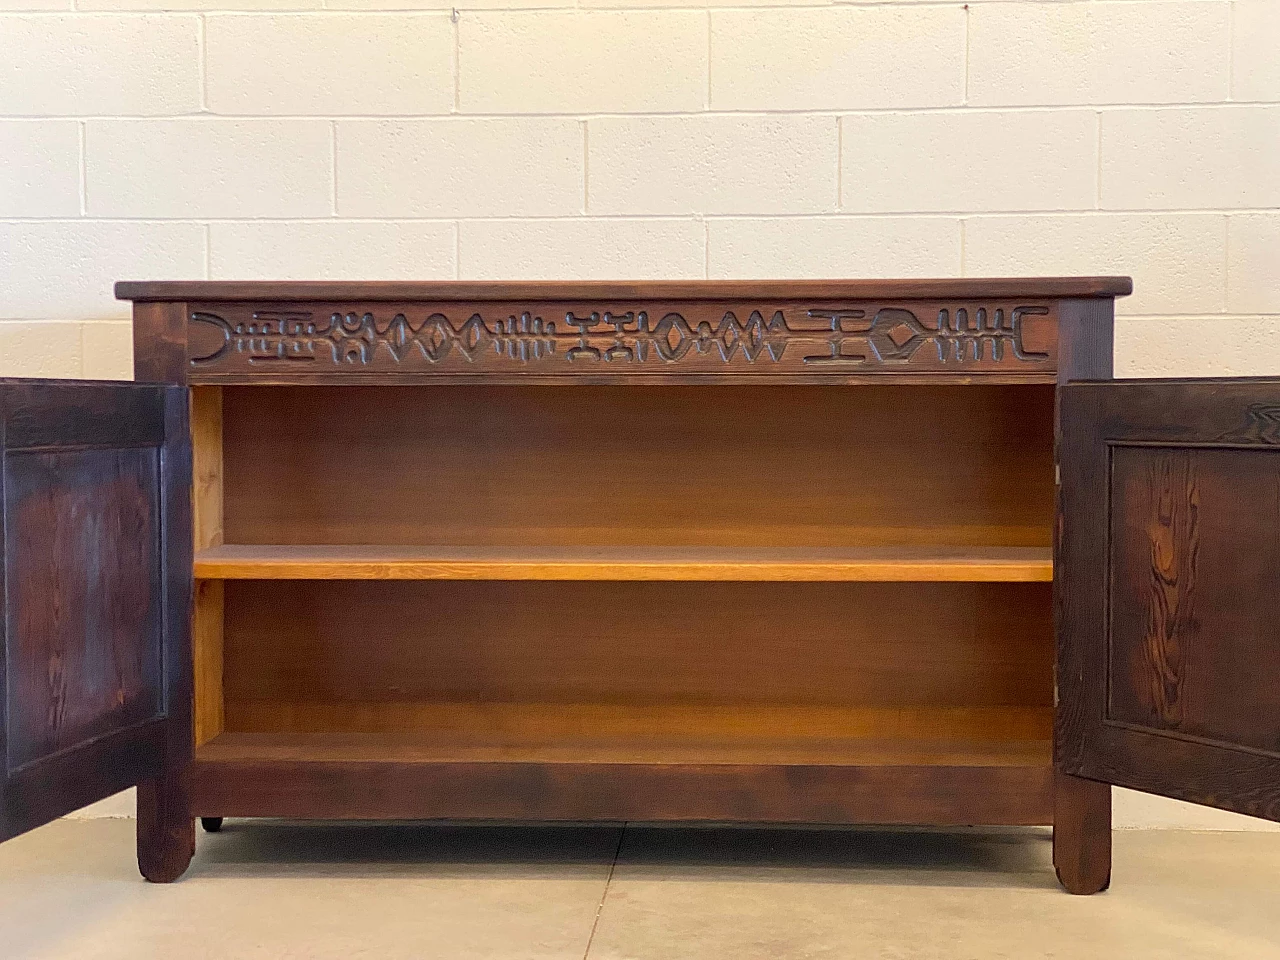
point(968, 289)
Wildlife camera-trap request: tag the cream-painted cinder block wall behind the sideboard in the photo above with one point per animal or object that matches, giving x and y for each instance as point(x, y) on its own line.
point(646, 139)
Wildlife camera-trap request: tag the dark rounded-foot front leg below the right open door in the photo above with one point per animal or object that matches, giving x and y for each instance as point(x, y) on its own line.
point(1082, 834)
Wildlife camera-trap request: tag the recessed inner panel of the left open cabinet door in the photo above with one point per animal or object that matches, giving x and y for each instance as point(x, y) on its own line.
point(84, 650)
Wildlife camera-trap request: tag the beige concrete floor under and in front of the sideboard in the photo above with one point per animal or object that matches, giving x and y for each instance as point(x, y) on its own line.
point(284, 892)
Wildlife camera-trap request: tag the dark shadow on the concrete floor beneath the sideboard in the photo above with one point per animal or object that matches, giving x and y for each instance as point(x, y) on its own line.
point(848, 856)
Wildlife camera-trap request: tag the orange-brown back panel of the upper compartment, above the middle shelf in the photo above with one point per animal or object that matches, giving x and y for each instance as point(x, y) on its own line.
point(656, 467)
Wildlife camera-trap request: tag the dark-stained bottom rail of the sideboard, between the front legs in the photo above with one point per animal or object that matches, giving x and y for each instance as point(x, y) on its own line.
point(239, 775)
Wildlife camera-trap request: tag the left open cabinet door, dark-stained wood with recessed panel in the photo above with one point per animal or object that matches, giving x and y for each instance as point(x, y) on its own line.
point(95, 609)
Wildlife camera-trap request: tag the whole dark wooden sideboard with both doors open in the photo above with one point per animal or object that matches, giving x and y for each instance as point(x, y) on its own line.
point(730, 551)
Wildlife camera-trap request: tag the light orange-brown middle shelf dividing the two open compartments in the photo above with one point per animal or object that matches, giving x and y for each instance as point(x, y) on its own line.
point(700, 564)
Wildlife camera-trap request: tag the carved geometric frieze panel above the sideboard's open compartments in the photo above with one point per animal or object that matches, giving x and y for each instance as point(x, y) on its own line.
point(243, 342)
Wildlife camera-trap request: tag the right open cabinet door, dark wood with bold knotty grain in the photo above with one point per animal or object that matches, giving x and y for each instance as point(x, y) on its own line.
point(1169, 589)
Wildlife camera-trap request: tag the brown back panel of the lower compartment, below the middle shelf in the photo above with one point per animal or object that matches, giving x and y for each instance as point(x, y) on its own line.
point(639, 643)
